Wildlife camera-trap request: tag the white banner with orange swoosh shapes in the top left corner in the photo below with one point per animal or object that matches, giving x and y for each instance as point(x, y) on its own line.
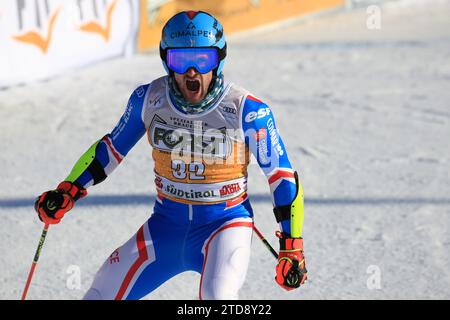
point(42, 38)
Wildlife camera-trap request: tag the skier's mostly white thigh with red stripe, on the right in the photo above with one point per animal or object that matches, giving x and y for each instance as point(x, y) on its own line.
point(226, 258)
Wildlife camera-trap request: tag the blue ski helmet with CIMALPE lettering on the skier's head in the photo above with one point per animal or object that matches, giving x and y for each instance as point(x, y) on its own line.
point(193, 29)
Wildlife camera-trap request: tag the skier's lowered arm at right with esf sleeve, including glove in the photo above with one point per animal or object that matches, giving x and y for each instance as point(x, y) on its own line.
point(265, 143)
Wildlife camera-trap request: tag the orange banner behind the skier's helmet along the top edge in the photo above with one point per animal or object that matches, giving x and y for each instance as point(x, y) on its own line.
point(234, 15)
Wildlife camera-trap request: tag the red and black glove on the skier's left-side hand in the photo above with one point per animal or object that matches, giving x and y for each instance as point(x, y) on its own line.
point(51, 206)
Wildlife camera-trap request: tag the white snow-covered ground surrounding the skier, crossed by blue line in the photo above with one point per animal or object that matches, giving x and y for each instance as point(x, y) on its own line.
point(365, 117)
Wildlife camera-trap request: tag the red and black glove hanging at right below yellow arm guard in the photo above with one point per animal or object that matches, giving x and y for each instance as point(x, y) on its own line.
point(291, 270)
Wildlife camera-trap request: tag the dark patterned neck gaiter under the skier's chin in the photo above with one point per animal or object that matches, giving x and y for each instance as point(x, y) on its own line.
point(213, 95)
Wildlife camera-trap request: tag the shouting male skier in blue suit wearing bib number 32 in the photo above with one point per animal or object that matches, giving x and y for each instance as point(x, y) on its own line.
point(201, 129)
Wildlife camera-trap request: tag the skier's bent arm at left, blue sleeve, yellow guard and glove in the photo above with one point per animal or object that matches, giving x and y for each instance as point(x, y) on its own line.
point(96, 163)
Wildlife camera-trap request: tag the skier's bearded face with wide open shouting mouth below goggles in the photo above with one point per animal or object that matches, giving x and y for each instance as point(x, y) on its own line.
point(193, 85)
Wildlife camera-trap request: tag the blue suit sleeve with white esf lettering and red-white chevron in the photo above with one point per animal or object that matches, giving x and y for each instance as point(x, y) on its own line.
point(265, 143)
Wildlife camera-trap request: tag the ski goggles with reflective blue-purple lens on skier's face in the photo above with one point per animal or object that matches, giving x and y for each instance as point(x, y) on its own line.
point(204, 60)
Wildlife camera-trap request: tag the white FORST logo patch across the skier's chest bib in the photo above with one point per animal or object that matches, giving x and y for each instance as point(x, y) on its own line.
point(213, 143)
